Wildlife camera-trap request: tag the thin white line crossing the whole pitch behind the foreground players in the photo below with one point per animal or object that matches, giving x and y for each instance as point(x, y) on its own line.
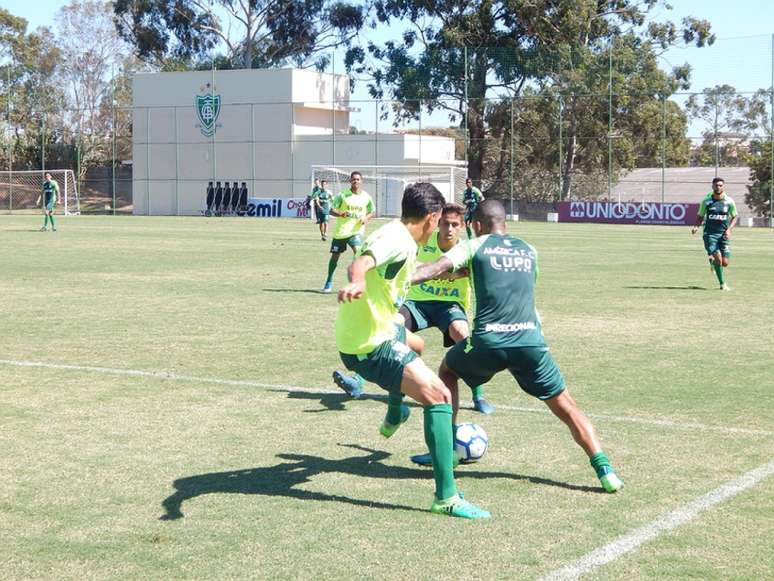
point(170, 376)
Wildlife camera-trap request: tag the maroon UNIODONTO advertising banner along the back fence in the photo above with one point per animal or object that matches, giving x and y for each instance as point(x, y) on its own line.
point(653, 213)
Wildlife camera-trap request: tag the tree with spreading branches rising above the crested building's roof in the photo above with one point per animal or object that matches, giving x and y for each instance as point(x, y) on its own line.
point(174, 34)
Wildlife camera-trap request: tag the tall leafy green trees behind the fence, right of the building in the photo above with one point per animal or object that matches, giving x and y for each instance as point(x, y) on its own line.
point(461, 55)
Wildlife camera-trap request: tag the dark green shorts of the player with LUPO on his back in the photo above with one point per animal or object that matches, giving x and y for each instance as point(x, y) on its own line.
point(532, 367)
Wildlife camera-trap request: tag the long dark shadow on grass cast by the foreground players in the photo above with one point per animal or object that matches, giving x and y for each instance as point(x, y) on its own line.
point(284, 478)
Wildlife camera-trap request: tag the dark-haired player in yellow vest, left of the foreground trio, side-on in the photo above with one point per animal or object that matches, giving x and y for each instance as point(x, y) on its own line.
point(371, 344)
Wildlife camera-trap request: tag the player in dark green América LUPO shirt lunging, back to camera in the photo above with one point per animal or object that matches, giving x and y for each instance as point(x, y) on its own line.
point(507, 333)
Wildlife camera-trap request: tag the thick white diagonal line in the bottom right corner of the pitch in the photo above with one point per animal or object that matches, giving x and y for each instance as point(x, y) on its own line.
point(686, 513)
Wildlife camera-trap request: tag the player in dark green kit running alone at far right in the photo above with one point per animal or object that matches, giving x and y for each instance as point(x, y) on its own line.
point(718, 213)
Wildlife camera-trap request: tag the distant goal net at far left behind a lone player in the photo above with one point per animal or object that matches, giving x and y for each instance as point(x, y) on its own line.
point(20, 189)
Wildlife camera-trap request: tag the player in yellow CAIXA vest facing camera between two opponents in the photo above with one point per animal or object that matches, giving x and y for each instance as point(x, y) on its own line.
point(443, 303)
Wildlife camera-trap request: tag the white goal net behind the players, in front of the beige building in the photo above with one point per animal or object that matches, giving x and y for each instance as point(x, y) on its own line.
point(386, 183)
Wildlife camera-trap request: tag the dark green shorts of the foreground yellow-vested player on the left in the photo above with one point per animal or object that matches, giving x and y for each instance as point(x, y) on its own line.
point(384, 365)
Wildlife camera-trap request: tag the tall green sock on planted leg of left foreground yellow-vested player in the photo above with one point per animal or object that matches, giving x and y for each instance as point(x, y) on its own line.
point(439, 440)
